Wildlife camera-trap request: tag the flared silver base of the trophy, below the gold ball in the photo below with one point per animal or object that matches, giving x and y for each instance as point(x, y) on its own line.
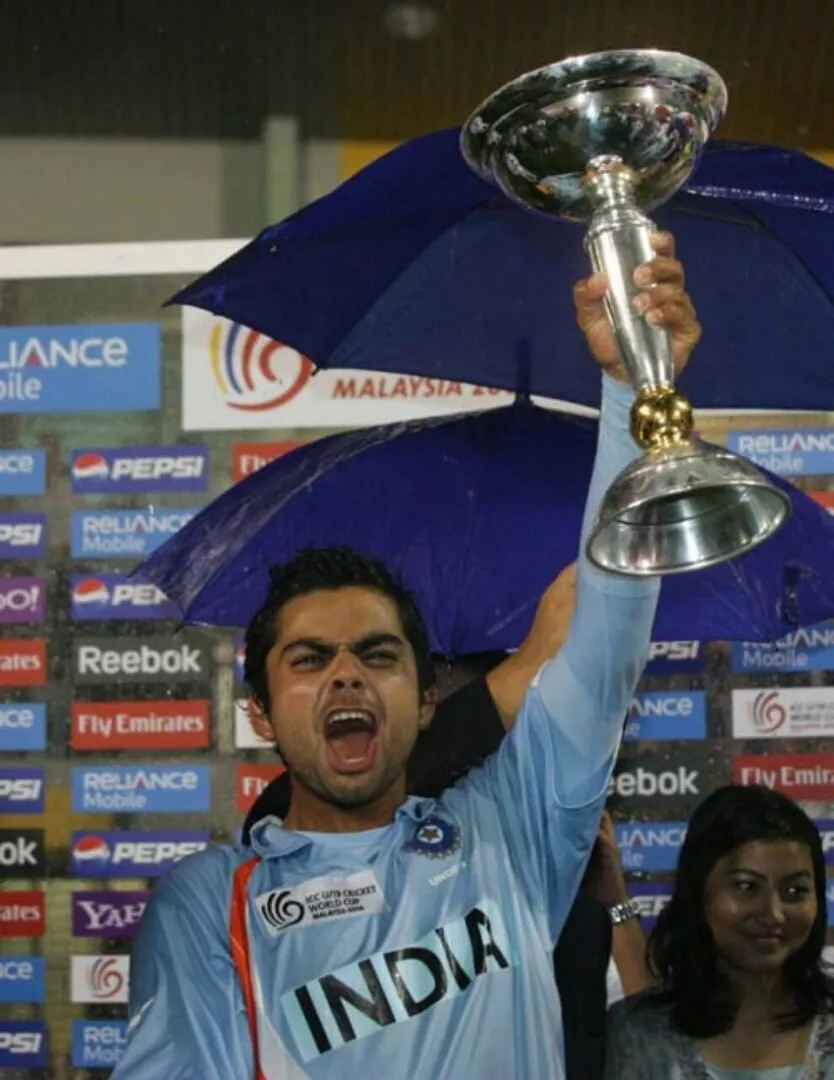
point(684, 509)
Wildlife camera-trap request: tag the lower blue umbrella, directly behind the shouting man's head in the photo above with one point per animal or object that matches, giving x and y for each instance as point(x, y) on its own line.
point(477, 514)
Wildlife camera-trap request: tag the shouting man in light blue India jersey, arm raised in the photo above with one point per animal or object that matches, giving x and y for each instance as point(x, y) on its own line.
point(381, 937)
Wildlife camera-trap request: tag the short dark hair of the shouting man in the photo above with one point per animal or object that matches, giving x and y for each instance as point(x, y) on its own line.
point(312, 571)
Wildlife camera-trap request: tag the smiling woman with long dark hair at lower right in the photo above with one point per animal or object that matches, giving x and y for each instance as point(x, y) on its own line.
point(743, 991)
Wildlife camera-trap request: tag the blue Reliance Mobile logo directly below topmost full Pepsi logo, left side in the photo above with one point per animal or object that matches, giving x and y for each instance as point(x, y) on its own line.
point(125, 534)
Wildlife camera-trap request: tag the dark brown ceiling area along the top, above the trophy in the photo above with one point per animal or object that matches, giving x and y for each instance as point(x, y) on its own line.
point(369, 70)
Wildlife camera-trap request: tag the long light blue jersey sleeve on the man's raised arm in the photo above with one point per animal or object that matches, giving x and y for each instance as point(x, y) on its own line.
point(550, 777)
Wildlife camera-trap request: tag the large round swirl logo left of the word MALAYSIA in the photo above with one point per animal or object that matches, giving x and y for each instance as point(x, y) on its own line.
point(252, 372)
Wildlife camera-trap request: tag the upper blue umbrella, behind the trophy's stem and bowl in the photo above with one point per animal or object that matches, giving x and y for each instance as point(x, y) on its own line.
point(416, 266)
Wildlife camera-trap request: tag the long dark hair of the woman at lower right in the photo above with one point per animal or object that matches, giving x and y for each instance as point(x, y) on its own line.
point(682, 953)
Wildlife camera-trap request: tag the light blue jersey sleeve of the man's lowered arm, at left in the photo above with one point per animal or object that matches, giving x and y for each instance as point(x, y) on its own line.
point(187, 1016)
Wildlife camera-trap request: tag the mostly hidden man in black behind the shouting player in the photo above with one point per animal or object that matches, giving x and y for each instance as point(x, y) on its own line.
point(600, 956)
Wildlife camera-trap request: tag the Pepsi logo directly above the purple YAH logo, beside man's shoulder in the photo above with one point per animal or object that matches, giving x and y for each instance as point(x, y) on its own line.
point(133, 855)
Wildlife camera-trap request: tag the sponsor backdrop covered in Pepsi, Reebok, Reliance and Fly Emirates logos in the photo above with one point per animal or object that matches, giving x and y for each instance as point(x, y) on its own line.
point(126, 745)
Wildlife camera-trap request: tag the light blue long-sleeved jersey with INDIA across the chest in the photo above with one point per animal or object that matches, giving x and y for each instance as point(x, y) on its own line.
point(422, 951)
